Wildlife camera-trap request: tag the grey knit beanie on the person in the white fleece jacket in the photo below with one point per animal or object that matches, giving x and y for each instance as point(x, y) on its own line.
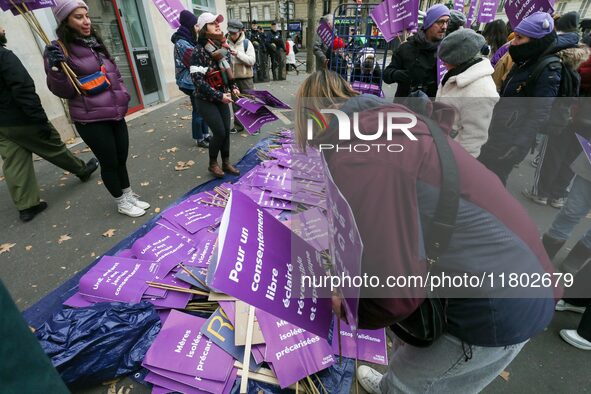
point(460, 46)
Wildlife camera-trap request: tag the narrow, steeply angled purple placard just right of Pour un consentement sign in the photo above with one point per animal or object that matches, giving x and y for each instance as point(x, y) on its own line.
point(345, 244)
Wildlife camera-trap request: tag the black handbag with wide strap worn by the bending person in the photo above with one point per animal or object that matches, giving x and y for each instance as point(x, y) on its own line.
point(428, 322)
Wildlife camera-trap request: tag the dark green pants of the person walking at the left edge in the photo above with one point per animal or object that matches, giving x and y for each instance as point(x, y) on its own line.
point(17, 144)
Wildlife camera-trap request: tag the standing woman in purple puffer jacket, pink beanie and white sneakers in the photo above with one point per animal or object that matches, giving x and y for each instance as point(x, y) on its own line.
point(98, 102)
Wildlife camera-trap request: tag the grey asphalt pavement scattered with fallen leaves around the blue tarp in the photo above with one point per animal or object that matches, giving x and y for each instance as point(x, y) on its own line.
point(75, 229)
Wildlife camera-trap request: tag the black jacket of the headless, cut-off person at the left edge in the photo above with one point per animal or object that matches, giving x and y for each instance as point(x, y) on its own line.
point(19, 104)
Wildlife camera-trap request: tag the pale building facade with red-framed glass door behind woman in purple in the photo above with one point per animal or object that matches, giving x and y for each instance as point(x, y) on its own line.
point(137, 37)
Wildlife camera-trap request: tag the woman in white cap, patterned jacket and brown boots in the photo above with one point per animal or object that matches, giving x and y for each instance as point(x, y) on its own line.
point(214, 86)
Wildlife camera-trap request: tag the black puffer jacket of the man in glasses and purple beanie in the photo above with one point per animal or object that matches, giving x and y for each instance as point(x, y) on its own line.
point(414, 66)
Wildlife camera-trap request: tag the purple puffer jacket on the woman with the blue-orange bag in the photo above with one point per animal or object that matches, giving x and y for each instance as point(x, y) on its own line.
point(111, 104)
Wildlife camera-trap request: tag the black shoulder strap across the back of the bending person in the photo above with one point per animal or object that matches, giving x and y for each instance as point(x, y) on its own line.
point(439, 233)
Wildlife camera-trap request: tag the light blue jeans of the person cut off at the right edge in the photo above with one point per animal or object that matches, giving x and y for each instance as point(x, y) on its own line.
point(577, 207)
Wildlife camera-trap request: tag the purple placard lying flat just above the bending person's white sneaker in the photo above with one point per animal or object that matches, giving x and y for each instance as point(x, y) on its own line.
point(369, 345)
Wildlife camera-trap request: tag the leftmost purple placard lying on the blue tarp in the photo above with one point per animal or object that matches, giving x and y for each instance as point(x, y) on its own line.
point(118, 279)
